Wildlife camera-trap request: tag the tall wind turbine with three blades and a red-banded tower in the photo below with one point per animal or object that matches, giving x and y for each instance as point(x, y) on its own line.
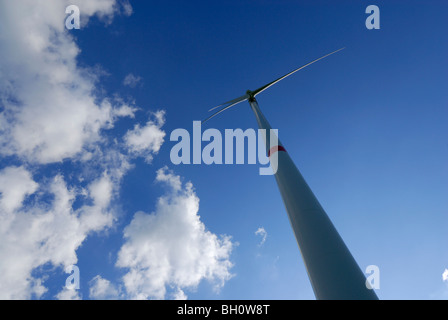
point(332, 270)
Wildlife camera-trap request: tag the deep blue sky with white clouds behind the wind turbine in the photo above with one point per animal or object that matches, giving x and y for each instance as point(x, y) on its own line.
point(85, 172)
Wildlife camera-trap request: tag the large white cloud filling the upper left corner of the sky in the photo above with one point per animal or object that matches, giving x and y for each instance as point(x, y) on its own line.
point(50, 111)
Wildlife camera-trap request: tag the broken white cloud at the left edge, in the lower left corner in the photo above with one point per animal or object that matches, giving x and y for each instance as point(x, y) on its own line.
point(48, 231)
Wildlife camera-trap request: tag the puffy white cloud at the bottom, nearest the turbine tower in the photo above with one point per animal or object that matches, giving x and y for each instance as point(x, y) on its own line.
point(171, 248)
